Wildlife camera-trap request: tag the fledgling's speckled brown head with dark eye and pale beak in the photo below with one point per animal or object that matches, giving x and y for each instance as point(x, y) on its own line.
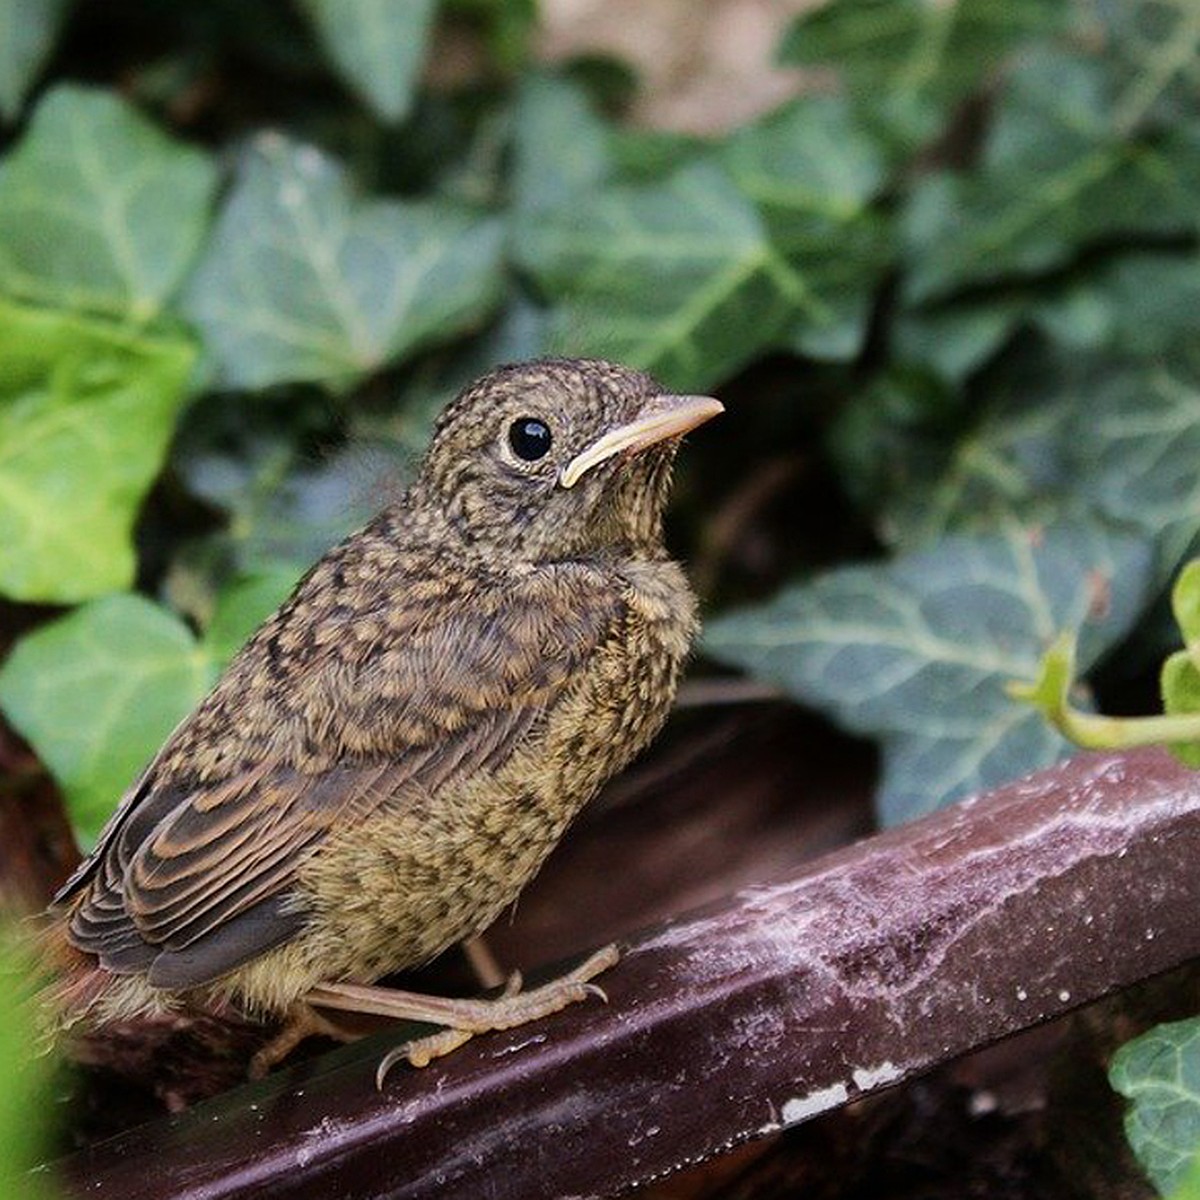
point(560, 458)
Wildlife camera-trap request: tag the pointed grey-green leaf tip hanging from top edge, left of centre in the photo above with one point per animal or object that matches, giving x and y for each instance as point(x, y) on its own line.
point(377, 46)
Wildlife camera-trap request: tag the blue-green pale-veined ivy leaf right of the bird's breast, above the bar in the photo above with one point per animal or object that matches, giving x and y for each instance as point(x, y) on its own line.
point(919, 651)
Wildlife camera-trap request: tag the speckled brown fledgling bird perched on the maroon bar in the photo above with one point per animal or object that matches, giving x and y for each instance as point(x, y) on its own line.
point(392, 757)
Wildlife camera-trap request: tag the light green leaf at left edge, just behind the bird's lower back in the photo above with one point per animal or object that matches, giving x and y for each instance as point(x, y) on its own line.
point(98, 692)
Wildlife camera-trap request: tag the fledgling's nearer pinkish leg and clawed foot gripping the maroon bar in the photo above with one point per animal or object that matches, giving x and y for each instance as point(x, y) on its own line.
point(464, 1018)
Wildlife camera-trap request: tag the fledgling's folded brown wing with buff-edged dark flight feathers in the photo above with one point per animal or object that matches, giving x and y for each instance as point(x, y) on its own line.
point(196, 880)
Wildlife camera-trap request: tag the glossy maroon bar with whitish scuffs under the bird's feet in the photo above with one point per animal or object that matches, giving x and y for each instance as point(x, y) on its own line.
point(871, 967)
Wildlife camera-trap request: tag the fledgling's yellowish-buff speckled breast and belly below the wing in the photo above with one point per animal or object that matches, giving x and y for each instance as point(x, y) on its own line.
point(427, 873)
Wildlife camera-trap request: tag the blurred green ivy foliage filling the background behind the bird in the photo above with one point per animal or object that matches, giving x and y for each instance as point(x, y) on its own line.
point(943, 261)
